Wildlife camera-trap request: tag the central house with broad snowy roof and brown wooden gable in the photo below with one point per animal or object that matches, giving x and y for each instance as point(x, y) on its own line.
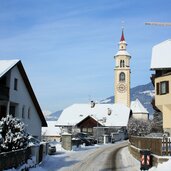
point(85, 116)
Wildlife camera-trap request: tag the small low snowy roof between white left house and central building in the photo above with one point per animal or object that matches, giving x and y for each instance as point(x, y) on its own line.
point(51, 130)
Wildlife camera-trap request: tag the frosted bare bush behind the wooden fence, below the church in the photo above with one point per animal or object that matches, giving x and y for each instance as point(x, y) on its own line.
point(138, 127)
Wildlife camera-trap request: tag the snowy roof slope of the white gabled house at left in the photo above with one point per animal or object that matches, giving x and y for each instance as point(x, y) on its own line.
point(6, 65)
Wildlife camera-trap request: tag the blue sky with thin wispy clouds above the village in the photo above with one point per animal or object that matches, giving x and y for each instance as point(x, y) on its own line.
point(67, 46)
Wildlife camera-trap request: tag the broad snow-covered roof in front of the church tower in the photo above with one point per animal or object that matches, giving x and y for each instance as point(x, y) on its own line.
point(77, 112)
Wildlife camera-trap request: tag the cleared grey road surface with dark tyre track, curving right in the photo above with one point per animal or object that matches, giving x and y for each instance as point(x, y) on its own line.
point(114, 157)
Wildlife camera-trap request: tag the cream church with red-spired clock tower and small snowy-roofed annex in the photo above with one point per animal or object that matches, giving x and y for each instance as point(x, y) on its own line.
point(122, 81)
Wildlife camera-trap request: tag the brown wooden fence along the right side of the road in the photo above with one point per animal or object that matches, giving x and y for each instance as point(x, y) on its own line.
point(158, 146)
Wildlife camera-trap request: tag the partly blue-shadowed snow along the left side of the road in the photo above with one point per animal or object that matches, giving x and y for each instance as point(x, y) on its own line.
point(63, 159)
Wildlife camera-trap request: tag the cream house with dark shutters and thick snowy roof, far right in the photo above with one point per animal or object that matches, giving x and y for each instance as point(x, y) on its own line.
point(161, 64)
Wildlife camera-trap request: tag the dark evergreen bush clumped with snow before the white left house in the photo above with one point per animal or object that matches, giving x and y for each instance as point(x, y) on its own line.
point(12, 134)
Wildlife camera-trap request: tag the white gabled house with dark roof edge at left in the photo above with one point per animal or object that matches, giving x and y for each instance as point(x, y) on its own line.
point(17, 97)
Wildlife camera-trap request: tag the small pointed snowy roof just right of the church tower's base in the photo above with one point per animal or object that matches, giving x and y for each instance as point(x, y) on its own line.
point(137, 107)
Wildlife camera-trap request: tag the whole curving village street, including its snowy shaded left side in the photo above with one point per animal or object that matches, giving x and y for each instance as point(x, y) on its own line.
point(104, 158)
